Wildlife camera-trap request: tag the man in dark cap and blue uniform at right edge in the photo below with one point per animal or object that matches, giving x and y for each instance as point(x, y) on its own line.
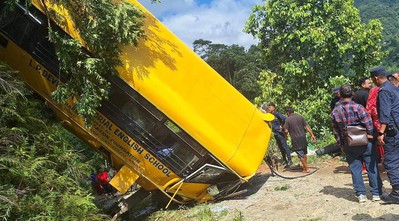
point(388, 113)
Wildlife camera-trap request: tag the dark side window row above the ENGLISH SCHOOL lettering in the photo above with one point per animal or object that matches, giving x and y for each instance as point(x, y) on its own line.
point(152, 129)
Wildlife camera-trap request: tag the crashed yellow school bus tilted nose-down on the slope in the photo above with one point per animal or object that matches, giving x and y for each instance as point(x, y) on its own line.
point(171, 123)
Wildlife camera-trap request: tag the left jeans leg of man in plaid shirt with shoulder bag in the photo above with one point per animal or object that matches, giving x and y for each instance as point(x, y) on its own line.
point(355, 166)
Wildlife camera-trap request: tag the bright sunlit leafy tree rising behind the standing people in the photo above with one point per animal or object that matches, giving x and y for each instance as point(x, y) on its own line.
point(310, 47)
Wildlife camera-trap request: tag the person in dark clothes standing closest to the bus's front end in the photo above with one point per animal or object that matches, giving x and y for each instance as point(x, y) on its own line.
point(277, 125)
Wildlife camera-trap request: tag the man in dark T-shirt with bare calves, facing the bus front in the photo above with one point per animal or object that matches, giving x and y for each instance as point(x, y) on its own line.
point(295, 125)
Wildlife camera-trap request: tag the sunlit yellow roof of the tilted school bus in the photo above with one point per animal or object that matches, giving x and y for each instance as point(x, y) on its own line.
point(176, 80)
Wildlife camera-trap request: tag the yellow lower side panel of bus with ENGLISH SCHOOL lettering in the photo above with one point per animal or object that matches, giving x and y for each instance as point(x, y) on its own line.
point(105, 133)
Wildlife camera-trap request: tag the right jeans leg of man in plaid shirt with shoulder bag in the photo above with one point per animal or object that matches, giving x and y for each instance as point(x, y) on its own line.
point(370, 161)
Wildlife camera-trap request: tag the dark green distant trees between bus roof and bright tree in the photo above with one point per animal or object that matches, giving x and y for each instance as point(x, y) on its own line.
point(240, 67)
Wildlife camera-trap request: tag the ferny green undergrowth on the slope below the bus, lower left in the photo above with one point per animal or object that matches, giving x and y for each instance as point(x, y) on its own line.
point(41, 164)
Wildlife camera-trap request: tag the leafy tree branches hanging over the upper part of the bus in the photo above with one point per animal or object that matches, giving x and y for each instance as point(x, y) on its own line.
point(103, 26)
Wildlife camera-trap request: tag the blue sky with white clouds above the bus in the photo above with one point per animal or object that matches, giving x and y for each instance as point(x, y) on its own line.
point(220, 21)
